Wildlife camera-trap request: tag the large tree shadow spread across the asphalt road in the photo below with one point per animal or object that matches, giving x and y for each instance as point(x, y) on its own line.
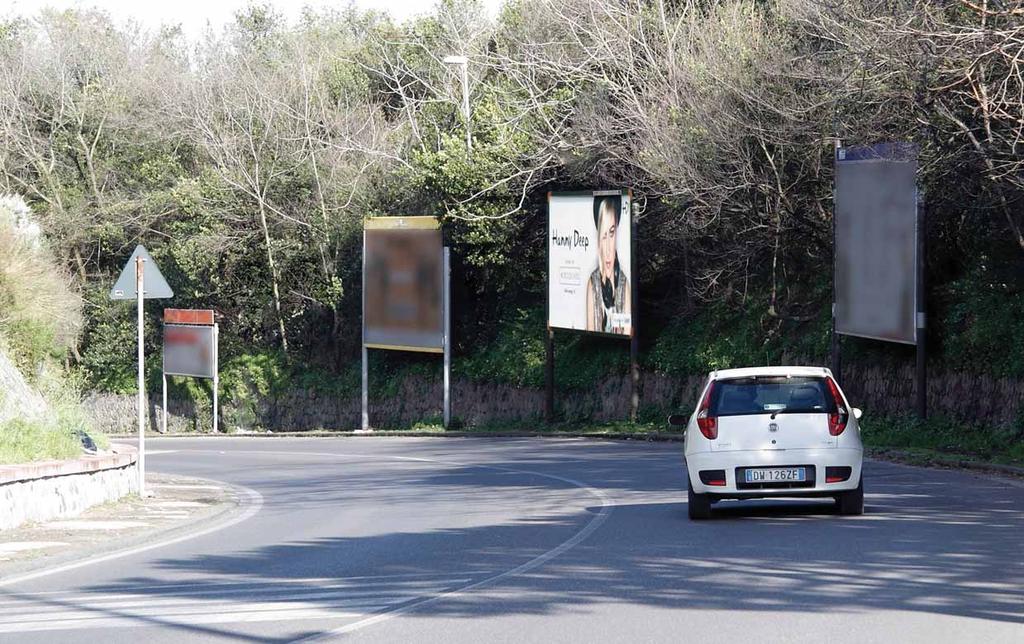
point(923, 546)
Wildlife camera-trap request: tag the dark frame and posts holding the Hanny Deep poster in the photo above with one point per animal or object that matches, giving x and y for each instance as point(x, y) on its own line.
point(633, 337)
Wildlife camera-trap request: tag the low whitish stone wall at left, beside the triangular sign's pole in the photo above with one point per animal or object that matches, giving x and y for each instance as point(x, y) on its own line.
point(41, 492)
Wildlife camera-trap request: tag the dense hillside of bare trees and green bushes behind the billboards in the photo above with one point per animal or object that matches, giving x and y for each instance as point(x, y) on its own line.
point(248, 164)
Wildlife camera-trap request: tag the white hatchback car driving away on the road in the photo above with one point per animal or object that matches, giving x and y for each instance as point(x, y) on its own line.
point(773, 432)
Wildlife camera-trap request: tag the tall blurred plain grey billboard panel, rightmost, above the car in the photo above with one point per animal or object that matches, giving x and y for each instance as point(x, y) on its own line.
point(876, 212)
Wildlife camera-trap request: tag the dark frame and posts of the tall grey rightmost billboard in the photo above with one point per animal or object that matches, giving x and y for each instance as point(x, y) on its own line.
point(888, 152)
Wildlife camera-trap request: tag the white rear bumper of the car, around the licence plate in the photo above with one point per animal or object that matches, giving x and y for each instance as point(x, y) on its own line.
point(817, 463)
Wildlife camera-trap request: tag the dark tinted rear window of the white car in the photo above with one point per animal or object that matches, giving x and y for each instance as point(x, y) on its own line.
point(772, 395)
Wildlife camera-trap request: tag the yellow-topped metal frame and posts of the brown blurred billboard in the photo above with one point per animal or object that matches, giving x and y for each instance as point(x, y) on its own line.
point(413, 223)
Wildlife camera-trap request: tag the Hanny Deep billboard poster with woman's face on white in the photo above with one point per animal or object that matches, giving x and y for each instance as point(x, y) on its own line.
point(589, 262)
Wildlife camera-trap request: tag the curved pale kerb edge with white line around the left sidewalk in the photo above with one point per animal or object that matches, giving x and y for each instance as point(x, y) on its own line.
point(222, 516)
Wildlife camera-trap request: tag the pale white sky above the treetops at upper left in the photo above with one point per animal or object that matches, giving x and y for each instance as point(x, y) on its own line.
point(195, 15)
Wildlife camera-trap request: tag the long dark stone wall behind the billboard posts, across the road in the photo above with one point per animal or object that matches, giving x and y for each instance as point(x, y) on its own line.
point(877, 392)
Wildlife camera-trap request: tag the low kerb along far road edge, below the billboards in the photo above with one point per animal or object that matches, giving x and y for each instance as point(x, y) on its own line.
point(883, 454)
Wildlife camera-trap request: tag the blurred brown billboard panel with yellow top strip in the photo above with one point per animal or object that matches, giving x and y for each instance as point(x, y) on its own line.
point(403, 284)
